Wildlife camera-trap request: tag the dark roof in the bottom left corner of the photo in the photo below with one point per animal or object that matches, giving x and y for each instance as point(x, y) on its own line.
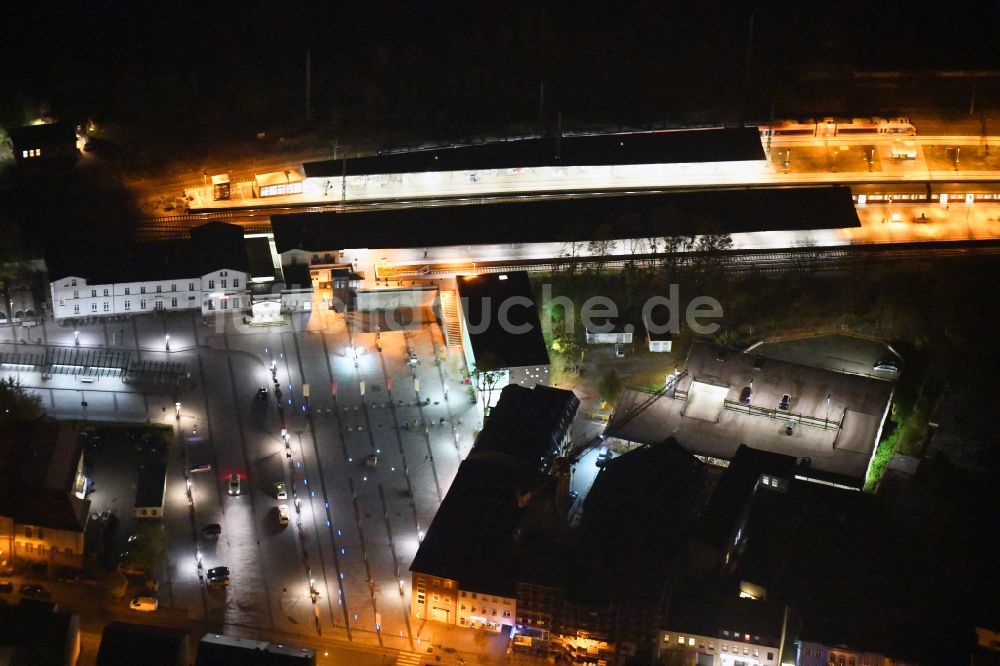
point(37, 635)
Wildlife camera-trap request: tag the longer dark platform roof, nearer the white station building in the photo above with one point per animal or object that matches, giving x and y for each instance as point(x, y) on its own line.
point(577, 219)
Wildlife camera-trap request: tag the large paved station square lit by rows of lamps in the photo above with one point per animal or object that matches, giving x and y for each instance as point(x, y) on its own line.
point(339, 568)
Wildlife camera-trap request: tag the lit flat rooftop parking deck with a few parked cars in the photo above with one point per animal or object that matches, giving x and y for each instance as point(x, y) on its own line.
point(856, 409)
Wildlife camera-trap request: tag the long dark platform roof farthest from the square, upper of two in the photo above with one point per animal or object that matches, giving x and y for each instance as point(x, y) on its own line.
point(668, 147)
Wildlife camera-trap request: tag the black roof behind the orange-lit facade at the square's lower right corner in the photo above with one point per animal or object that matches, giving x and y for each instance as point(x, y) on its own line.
point(472, 536)
